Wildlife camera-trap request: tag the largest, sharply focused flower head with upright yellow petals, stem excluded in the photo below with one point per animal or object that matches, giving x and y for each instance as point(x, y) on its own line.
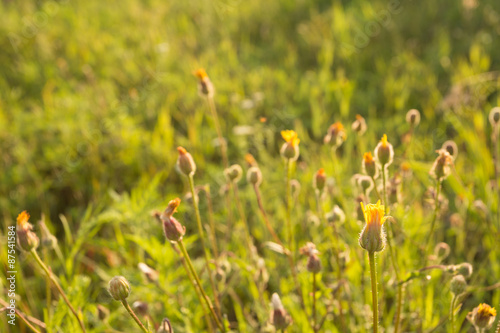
point(372, 237)
